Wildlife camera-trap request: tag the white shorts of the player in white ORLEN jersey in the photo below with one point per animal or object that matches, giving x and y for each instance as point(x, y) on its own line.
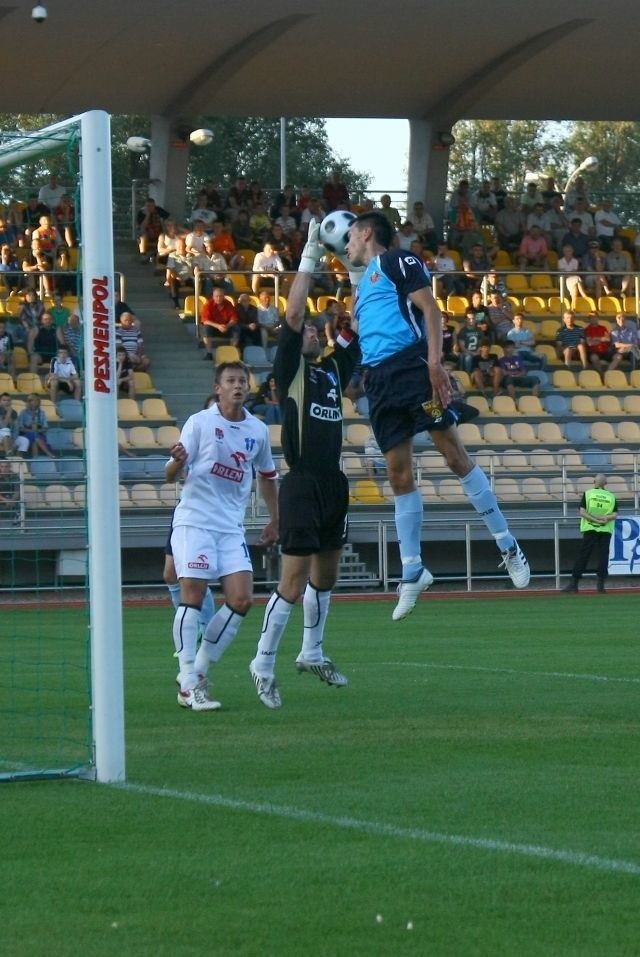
point(198, 553)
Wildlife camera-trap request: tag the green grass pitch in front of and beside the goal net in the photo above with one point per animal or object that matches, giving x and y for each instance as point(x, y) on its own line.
point(473, 791)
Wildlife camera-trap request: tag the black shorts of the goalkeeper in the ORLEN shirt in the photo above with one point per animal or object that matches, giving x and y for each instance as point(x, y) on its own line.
point(313, 512)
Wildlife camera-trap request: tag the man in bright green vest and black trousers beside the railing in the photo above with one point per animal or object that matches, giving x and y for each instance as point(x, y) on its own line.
point(598, 513)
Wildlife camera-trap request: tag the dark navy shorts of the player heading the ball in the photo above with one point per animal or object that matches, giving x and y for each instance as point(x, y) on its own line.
point(396, 390)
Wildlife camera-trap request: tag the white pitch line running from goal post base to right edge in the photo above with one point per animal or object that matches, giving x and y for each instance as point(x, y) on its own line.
point(575, 858)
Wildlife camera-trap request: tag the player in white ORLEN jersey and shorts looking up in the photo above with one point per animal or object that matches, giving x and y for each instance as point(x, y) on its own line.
point(220, 447)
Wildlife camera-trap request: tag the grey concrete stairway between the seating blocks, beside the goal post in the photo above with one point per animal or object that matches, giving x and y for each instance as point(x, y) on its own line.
point(177, 369)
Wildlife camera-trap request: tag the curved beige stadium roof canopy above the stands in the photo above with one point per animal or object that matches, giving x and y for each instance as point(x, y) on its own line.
point(419, 59)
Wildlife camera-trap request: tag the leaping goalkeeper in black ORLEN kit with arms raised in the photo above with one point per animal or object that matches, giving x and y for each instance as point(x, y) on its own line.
point(314, 494)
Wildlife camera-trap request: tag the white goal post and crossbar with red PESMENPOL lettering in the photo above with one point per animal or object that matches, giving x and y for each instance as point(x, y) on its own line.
point(92, 130)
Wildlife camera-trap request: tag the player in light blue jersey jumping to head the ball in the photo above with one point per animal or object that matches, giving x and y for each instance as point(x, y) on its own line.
point(400, 329)
